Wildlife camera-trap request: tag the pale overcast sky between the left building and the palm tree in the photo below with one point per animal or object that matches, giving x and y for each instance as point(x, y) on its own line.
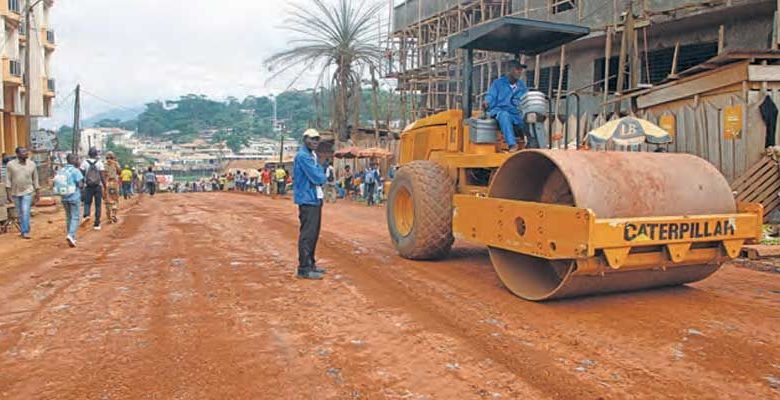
point(130, 52)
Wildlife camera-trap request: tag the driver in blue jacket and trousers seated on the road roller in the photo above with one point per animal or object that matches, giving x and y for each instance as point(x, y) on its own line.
point(503, 100)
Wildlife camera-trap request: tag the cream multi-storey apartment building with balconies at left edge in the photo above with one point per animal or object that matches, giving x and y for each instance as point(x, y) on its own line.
point(16, 40)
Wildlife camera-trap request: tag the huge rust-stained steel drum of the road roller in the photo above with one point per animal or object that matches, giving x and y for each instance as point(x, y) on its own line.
point(612, 185)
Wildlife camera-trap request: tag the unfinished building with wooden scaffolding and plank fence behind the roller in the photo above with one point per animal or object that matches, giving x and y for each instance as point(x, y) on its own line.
point(705, 70)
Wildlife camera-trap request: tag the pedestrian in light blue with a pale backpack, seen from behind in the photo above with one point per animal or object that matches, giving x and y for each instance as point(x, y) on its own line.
point(67, 184)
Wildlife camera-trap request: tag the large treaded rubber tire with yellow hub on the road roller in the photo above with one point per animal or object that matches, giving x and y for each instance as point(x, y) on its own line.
point(427, 189)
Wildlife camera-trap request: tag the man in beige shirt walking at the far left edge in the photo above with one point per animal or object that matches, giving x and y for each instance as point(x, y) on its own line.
point(22, 187)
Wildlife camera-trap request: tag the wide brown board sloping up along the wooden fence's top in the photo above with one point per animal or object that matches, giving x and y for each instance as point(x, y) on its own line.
point(697, 84)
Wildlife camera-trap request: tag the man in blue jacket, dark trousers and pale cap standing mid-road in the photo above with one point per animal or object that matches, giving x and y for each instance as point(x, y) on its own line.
point(307, 187)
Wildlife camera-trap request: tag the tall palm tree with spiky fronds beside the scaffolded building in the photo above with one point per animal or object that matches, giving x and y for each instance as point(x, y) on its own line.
point(342, 35)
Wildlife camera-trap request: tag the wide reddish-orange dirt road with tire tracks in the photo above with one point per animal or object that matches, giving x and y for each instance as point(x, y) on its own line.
point(193, 296)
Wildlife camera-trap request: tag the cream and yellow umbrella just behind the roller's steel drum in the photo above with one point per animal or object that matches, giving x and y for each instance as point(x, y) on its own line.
point(629, 131)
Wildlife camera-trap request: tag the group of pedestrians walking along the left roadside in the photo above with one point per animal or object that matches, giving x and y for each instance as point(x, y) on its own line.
point(87, 182)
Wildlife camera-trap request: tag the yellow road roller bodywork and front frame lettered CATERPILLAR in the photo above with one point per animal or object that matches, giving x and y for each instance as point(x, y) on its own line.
point(558, 232)
